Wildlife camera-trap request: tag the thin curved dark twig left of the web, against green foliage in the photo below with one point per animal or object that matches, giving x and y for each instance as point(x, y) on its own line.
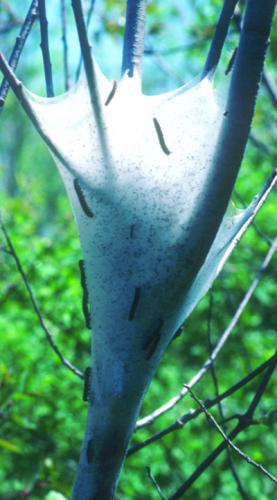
point(35, 305)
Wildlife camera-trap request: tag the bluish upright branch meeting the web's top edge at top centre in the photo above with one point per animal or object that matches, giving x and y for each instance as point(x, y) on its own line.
point(133, 37)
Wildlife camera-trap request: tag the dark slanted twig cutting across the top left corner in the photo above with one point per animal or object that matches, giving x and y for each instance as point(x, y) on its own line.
point(18, 47)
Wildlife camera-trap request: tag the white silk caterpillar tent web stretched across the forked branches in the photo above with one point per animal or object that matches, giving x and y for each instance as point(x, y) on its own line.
point(149, 186)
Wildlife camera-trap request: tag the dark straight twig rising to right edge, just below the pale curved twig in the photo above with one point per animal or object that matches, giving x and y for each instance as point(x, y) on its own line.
point(193, 414)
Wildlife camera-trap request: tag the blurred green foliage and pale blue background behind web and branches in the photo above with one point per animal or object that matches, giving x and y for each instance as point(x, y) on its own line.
point(42, 414)
